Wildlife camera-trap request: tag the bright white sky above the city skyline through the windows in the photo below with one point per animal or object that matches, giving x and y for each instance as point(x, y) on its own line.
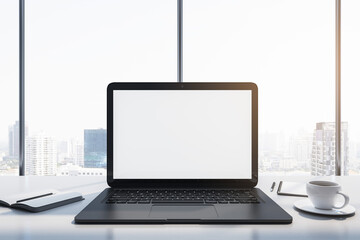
point(75, 48)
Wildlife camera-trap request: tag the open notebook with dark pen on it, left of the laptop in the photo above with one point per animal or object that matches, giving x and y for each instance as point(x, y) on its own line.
point(41, 200)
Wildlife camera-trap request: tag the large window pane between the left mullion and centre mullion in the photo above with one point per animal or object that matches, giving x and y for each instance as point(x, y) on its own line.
point(74, 49)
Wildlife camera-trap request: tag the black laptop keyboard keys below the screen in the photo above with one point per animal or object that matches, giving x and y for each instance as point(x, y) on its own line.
point(181, 196)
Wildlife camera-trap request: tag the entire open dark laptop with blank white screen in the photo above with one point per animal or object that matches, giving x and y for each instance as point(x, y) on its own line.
point(182, 153)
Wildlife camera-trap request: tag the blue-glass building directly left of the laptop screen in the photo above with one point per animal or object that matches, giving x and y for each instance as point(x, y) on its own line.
point(95, 148)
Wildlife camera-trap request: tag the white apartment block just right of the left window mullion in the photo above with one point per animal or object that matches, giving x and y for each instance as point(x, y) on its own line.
point(41, 155)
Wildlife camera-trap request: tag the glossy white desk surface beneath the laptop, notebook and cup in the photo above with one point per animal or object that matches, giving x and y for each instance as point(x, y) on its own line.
point(59, 223)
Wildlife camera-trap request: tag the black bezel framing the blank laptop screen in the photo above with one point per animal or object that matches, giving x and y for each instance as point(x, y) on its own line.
point(182, 183)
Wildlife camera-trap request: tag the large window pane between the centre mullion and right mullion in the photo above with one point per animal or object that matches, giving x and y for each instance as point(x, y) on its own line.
point(287, 49)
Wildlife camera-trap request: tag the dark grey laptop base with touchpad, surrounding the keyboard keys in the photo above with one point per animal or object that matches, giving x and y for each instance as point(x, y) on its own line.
point(265, 212)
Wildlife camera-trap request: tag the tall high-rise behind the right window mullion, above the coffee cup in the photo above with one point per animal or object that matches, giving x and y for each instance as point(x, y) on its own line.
point(323, 149)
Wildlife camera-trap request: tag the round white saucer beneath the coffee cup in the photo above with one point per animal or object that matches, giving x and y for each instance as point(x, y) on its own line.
point(306, 205)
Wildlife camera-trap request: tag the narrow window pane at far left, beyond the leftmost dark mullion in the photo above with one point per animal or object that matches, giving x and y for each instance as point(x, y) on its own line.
point(9, 87)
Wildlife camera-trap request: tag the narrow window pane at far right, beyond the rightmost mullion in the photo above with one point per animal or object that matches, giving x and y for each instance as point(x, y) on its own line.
point(350, 47)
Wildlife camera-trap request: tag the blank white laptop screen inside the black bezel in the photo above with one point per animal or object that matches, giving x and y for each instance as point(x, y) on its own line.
point(182, 134)
